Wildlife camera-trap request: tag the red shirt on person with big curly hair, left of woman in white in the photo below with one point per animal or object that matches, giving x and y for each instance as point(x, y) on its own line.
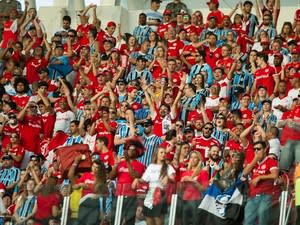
point(124, 178)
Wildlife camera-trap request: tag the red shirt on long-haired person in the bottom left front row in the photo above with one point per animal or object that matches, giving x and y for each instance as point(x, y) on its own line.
point(44, 207)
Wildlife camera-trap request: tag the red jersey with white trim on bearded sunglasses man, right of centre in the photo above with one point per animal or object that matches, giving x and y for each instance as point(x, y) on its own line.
point(203, 144)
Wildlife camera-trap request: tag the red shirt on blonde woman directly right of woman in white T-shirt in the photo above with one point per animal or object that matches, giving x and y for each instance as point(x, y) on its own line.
point(190, 191)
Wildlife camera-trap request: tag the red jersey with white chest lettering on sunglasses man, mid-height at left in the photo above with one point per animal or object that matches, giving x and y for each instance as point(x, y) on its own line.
point(31, 128)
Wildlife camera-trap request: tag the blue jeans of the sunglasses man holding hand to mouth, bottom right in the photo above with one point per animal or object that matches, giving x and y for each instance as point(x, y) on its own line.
point(258, 207)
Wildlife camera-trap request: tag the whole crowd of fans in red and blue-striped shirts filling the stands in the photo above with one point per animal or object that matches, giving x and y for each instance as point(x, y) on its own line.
point(165, 109)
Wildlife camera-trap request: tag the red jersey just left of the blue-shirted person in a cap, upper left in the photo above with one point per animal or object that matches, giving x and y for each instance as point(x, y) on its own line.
point(32, 67)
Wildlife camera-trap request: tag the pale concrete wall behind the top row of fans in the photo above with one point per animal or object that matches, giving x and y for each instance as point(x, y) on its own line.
point(127, 12)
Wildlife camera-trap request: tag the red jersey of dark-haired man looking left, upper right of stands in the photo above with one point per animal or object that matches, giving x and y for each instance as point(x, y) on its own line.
point(264, 77)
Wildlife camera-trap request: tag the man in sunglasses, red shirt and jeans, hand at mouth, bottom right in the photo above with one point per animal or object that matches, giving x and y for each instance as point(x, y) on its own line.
point(264, 171)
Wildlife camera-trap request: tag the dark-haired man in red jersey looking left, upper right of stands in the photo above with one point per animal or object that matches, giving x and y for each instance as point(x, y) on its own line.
point(264, 76)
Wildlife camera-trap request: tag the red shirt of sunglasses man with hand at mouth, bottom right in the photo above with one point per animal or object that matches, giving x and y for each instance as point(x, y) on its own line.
point(264, 186)
